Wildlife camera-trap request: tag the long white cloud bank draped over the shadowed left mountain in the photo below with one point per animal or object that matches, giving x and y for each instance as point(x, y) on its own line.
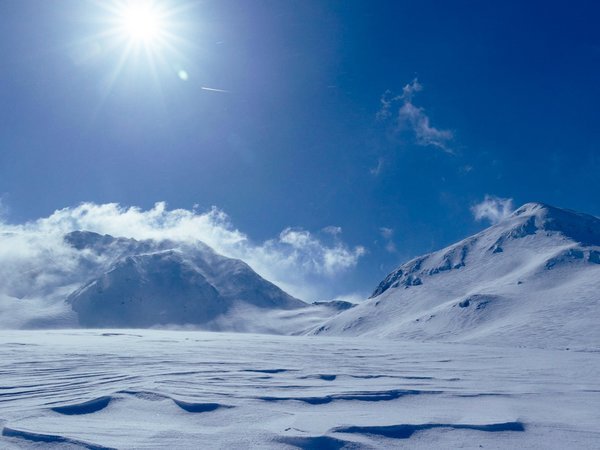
point(33, 255)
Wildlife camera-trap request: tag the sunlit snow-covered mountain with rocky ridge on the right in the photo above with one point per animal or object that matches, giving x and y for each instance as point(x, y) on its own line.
point(531, 280)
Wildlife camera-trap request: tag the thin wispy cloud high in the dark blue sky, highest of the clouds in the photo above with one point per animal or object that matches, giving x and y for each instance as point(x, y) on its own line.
point(414, 118)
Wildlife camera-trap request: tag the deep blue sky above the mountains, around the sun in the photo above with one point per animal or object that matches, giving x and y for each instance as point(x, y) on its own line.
point(371, 127)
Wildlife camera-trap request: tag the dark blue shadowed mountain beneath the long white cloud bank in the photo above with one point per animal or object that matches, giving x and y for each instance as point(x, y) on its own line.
point(146, 283)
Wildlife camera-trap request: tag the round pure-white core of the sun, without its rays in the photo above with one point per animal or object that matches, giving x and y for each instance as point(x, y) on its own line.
point(142, 23)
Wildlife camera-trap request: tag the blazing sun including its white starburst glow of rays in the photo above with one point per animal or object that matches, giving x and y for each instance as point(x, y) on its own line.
point(141, 40)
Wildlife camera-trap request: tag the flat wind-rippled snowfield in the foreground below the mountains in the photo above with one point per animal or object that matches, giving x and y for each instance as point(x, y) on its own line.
point(149, 389)
